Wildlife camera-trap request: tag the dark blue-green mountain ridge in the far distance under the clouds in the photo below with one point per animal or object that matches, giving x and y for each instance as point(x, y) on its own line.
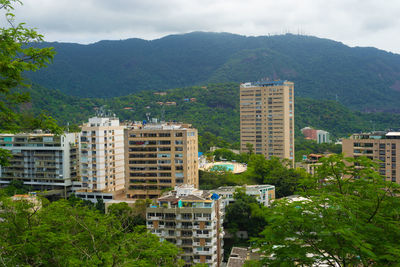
point(366, 79)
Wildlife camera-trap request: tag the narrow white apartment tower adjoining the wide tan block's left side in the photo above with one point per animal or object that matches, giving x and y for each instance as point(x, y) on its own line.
point(102, 155)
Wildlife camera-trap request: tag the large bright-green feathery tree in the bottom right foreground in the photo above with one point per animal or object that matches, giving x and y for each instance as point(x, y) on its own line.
point(351, 218)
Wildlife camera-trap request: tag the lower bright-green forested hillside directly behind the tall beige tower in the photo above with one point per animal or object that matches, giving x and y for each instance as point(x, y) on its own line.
point(213, 108)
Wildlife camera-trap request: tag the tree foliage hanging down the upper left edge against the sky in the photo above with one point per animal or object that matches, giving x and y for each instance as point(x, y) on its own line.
point(17, 55)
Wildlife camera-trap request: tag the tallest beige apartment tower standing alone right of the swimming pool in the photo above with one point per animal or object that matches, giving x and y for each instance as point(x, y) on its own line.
point(267, 118)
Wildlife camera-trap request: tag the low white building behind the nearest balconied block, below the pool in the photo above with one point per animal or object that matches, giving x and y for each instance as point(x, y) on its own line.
point(263, 193)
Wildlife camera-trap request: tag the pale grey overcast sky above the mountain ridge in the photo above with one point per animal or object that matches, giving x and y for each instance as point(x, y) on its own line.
point(353, 22)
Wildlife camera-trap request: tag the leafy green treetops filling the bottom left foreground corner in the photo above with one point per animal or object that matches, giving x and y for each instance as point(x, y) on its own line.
point(60, 234)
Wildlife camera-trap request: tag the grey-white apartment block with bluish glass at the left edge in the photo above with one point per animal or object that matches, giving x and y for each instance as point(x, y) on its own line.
point(41, 160)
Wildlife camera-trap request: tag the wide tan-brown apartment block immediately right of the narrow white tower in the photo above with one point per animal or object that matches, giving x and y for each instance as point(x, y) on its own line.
point(159, 156)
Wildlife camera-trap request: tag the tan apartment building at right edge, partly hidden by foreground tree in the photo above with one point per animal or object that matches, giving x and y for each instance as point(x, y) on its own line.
point(382, 146)
